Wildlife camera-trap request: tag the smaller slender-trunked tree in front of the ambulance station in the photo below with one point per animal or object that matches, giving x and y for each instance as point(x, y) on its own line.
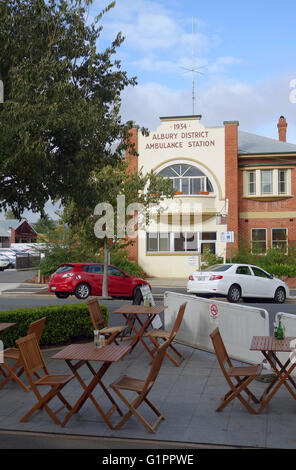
point(112, 190)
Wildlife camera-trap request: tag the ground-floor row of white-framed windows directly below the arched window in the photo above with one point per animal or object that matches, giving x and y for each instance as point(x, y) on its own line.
point(174, 242)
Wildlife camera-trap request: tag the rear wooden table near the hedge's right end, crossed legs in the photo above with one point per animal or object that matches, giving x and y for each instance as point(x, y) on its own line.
point(133, 313)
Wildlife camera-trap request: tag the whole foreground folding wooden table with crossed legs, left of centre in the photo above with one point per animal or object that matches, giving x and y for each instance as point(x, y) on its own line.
point(77, 355)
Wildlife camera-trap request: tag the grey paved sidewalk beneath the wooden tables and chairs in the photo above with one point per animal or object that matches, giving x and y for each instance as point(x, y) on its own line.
point(187, 396)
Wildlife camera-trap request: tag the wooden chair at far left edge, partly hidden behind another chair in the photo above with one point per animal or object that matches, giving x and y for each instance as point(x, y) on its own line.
point(36, 327)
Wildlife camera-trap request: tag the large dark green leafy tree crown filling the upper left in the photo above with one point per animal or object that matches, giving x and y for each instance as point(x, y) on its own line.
point(60, 117)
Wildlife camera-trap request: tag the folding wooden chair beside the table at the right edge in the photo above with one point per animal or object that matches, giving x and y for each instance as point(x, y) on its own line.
point(243, 375)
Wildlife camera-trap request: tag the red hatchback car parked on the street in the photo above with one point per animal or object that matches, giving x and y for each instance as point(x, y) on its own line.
point(84, 279)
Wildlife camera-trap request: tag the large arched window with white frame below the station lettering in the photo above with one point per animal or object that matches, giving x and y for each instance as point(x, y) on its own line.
point(187, 179)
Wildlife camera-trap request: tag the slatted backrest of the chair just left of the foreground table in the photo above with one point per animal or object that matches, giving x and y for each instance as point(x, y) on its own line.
point(31, 355)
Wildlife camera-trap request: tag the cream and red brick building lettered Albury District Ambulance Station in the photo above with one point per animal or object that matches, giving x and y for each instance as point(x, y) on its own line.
point(225, 180)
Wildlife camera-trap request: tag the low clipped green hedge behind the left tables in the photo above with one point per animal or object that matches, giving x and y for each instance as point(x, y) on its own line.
point(63, 323)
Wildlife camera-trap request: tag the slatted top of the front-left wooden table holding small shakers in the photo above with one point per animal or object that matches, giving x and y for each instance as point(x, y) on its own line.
point(87, 352)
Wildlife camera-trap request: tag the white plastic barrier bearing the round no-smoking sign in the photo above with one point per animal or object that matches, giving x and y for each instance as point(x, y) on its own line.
point(237, 324)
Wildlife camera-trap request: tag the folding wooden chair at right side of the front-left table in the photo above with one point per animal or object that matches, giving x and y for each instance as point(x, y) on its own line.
point(142, 388)
